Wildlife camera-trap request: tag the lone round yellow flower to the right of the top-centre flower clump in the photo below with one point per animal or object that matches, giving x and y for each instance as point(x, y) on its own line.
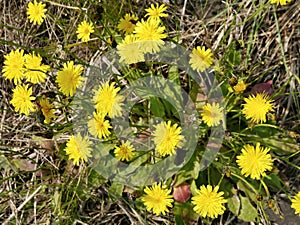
point(201, 59)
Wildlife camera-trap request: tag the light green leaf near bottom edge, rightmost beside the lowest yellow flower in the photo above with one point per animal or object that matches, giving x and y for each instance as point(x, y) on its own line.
point(248, 212)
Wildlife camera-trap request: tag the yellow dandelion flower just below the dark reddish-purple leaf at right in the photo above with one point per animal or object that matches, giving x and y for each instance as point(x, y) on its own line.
point(257, 107)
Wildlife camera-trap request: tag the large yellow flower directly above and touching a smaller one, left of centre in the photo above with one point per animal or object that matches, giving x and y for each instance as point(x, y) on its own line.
point(108, 101)
